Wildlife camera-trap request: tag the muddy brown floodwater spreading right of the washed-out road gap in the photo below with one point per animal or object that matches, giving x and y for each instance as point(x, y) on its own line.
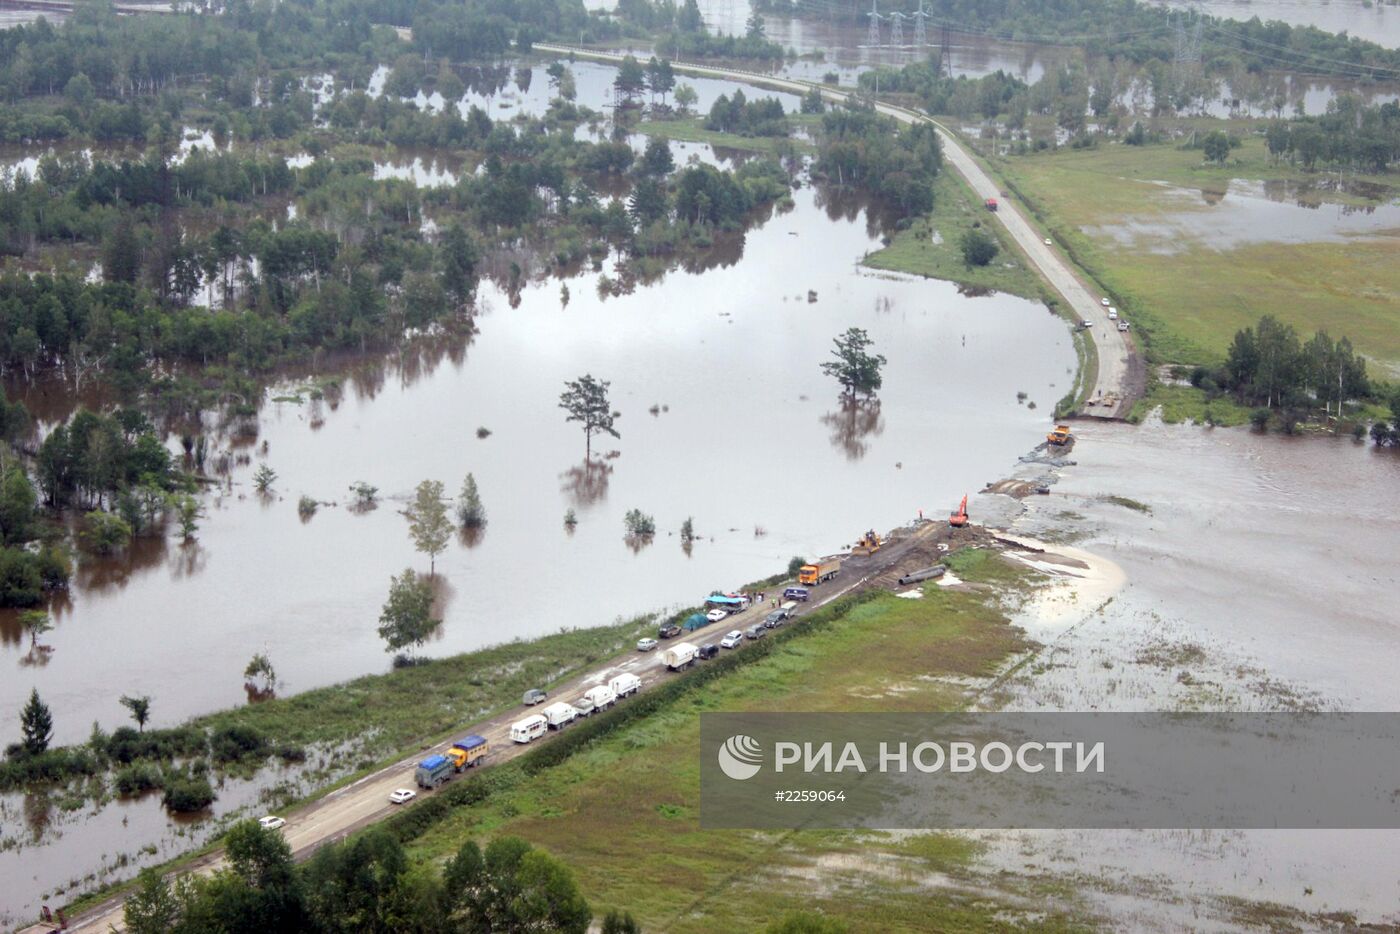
point(1258, 582)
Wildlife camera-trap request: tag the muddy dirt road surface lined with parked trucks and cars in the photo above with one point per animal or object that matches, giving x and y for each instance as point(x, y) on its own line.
point(366, 802)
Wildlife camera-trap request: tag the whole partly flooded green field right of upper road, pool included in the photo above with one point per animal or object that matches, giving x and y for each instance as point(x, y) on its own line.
point(1196, 253)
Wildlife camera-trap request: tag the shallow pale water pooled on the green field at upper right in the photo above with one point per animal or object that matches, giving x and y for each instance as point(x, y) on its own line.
point(1255, 212)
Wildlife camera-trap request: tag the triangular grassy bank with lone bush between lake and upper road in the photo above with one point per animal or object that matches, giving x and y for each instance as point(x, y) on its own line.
point(932, 247)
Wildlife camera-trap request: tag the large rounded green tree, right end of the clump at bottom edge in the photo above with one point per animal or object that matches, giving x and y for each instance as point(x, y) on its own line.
point(513, 887)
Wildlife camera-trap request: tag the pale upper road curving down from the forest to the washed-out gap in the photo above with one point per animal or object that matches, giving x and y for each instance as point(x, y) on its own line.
point(1119, 379)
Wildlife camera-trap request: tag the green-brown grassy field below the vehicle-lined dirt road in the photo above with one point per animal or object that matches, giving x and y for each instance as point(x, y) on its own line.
point(622, 811)
